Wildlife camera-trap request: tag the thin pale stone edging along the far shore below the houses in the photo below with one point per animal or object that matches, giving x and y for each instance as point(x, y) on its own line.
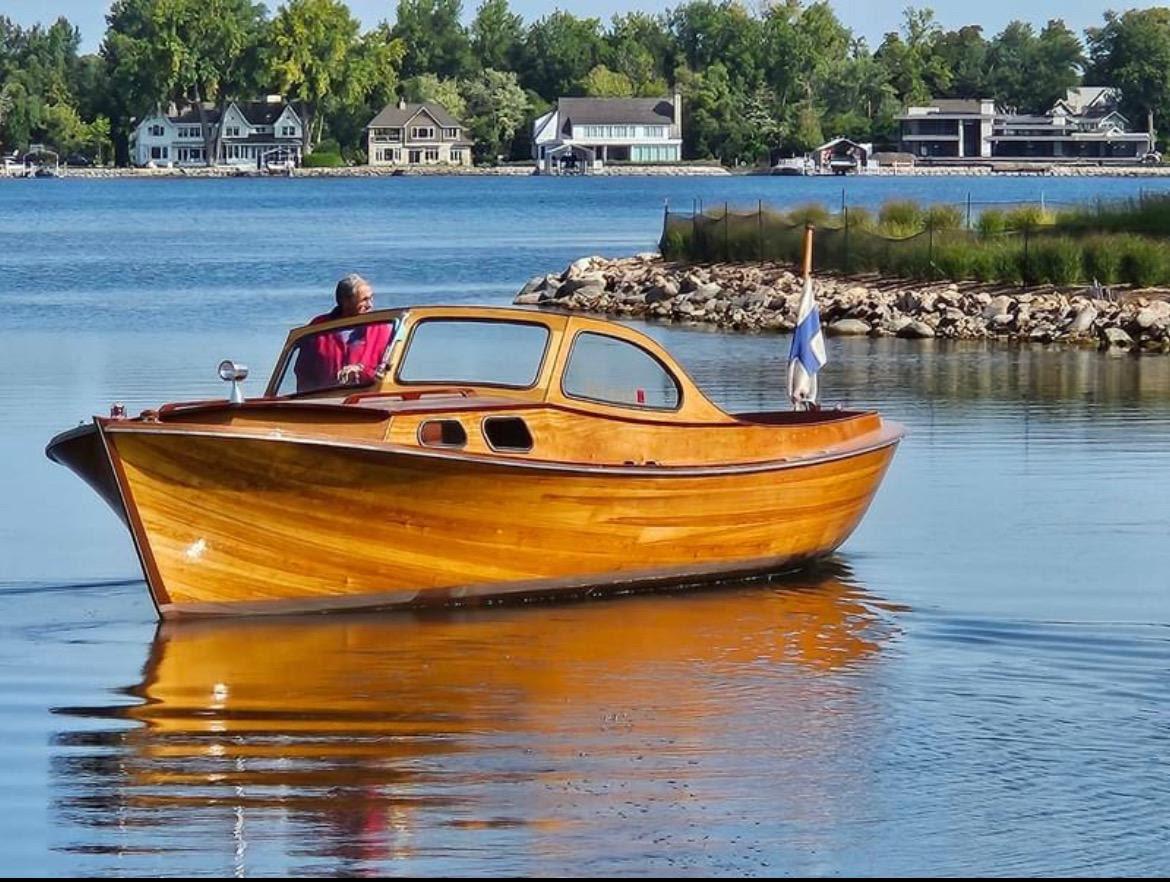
point(615, 171)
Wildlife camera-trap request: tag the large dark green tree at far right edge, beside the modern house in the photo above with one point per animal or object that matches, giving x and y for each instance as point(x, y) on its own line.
point(1132, 52)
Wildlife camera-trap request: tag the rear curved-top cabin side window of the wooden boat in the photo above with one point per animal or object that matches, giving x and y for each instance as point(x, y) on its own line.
point(618, 373)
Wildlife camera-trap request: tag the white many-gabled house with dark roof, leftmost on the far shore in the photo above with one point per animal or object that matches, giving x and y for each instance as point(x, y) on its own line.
point(254, 133)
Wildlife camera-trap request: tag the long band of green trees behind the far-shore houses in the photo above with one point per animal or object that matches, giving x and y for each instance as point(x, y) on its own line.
point(784, 78)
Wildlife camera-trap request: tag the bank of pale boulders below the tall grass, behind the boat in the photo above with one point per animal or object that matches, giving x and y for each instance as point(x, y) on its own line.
point(765, 298)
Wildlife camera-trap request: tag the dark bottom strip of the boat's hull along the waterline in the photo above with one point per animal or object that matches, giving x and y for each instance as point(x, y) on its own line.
point(495, 594)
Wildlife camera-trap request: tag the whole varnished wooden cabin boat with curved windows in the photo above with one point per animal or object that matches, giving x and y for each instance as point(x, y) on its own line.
point(481, 453)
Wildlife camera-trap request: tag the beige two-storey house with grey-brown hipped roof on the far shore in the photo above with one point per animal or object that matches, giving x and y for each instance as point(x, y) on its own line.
point(425, 134)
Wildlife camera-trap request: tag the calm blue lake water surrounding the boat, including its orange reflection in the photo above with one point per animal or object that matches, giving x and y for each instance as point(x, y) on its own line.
point(979, 684)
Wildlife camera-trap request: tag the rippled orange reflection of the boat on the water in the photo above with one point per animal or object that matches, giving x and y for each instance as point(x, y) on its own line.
point(366, 738)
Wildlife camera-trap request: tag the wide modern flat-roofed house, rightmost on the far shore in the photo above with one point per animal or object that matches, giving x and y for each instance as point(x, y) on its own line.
point(1085, 126)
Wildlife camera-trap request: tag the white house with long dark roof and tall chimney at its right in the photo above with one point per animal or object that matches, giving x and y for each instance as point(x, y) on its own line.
point(589, 132)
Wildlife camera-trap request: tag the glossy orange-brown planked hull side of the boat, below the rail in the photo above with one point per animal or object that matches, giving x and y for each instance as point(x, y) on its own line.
point(231, 525)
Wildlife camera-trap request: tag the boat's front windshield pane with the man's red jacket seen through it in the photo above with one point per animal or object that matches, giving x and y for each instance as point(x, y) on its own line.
point(338, 359)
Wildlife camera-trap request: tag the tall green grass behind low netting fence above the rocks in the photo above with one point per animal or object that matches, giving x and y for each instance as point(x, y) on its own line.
point(1024, 245)
